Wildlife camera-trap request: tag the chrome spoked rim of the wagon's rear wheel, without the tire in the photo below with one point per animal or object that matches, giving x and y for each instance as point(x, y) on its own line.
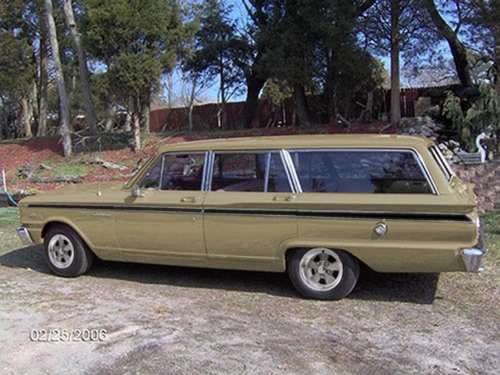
point(321, 269)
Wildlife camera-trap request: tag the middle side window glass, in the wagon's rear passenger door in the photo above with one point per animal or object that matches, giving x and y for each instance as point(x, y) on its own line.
point(249, 171)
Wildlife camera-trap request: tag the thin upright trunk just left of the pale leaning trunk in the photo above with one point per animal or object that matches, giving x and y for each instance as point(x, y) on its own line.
point(43, 78)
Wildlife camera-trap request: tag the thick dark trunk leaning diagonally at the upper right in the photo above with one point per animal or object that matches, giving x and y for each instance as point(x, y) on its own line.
point(457, 48)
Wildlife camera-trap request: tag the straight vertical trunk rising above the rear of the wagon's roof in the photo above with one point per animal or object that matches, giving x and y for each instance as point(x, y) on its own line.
point(395, 78)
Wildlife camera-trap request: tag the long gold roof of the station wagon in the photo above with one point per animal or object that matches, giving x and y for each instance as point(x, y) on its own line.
point(301, 141)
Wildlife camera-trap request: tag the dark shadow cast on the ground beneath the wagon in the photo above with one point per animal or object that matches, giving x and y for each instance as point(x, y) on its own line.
point(372, 286)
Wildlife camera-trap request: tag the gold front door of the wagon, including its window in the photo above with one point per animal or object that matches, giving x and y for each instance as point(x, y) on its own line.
point(166, 221)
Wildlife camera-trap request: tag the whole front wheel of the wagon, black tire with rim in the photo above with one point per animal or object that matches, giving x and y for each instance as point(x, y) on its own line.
point(66, 253)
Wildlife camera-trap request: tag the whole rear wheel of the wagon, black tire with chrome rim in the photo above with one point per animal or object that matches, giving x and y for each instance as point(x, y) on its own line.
point(322, 273)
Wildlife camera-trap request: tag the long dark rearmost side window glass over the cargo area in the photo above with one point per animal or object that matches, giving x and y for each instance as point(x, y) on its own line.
point(360, 171)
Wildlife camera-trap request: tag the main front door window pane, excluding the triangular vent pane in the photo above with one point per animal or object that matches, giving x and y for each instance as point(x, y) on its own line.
point(182, 171)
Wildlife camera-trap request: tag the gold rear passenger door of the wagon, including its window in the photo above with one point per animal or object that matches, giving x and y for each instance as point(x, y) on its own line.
point(250, 208)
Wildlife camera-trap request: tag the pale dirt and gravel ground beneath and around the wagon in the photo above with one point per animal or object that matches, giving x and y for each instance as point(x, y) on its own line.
point(182, 320)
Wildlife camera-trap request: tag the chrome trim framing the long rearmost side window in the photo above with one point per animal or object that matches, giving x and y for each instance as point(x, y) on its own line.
point(416, 154)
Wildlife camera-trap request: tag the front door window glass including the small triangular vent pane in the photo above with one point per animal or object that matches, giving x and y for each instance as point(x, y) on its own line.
point(175, 172)
